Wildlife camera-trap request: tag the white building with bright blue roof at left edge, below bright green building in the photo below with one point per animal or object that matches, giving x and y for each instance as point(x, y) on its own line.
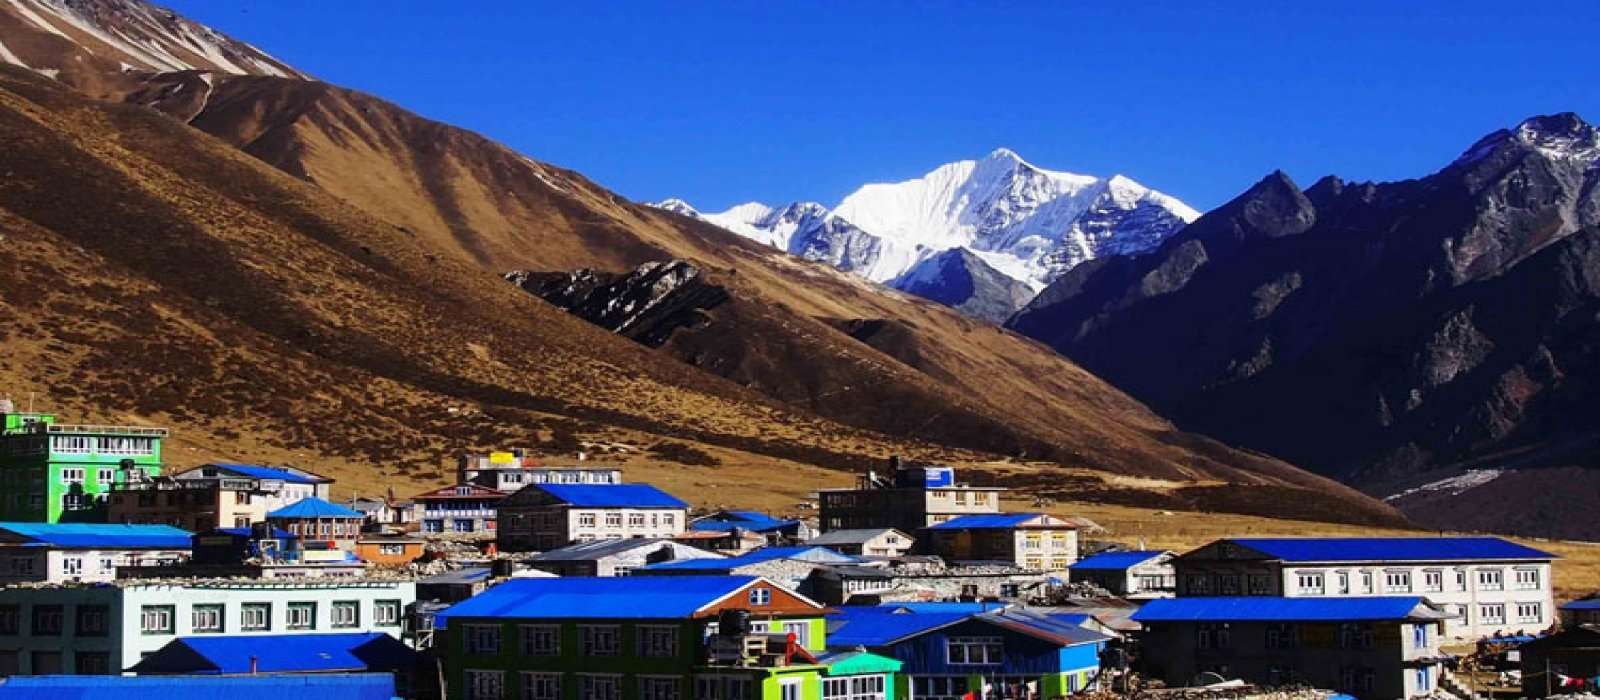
point(84, 552)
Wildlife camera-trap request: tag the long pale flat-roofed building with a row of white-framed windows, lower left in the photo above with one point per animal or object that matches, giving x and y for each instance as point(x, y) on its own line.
point(105, 629)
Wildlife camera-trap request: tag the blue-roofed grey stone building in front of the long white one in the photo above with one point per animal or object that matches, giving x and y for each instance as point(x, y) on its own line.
point(1370, 648)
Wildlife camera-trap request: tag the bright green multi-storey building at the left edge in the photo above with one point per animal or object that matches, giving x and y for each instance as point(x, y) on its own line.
point(54, 472)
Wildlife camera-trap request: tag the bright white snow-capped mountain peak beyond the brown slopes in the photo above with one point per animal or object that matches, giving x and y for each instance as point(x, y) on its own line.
point(1028, 223)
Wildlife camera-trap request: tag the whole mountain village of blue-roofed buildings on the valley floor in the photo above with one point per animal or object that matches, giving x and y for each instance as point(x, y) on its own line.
point(542, 583)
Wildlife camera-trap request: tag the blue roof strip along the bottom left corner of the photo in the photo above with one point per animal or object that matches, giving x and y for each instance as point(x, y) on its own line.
point(329, 686)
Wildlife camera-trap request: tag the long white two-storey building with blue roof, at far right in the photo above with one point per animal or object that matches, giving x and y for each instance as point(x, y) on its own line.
point(1487, 583)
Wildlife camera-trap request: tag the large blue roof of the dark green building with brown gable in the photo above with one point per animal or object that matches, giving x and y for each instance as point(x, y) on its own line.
point(623, 599)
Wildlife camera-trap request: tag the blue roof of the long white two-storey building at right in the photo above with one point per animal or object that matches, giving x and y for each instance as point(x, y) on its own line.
point(1390, 549)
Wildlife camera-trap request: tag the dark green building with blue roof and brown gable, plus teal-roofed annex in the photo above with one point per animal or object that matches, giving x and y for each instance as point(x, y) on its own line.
point(650, 638)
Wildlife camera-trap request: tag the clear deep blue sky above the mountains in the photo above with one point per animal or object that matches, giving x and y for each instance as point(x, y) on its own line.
point(730, 101)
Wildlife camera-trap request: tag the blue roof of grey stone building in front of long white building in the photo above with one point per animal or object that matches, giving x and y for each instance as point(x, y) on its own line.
point(1278, 610)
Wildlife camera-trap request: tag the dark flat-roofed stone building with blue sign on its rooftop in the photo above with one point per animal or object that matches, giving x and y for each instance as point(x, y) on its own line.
point(906, 499)
